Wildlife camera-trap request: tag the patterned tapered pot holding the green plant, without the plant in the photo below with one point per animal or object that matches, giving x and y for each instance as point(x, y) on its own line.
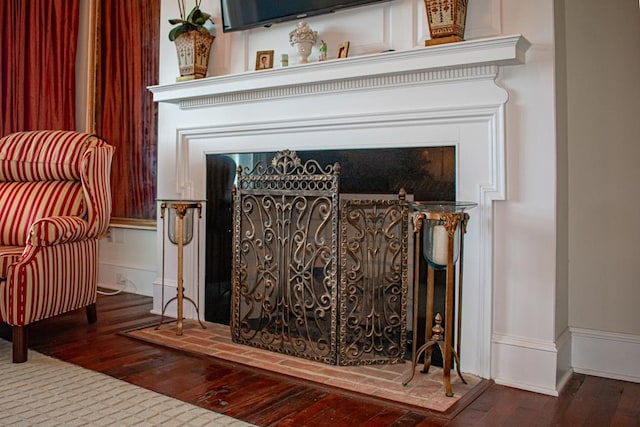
point(193, 48)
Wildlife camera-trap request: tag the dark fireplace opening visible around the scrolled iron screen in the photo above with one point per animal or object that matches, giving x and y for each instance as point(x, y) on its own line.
point(425, 174)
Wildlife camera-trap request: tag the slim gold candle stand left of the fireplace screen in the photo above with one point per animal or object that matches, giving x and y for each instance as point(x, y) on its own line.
point(180, 233)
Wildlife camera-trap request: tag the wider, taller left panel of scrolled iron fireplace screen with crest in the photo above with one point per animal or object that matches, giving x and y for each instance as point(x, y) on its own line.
point(284, 293)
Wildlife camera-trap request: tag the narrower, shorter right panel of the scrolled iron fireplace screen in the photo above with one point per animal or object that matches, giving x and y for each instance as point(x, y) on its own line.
point(373, 281)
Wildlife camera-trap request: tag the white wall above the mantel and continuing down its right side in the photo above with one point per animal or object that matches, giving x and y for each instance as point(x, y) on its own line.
point(525, 324)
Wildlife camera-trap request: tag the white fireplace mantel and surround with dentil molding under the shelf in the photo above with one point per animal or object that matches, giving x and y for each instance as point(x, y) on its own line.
point(420, 98)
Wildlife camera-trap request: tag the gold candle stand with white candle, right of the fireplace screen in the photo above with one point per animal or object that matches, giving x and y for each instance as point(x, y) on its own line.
point(443, 225)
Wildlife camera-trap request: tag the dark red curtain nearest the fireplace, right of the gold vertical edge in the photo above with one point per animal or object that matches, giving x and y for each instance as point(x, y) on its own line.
point(125, 111)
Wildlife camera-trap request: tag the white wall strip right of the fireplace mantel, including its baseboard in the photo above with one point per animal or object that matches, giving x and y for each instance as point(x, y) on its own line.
point(525, 353)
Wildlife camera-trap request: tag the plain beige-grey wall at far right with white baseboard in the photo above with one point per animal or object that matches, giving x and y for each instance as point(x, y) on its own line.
point(603, 64)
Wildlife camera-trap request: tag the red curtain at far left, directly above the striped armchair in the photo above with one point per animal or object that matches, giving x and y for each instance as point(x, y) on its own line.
point(38, 43)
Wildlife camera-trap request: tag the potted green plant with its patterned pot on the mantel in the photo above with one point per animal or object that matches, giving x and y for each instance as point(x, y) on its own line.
point(193, 39)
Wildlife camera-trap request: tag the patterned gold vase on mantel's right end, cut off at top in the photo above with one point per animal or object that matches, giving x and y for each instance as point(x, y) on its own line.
point(446, 19)
